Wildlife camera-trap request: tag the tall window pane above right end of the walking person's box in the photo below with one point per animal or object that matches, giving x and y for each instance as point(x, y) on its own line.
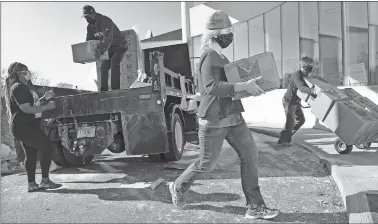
point(273, 35)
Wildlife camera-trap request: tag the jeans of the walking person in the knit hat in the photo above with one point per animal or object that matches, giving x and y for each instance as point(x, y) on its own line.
point(210, 142)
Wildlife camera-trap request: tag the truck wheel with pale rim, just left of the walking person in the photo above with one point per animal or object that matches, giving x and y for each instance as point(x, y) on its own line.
point(176, 140)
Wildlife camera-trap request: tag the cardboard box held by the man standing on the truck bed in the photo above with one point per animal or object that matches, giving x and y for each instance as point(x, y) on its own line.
point(85, 52)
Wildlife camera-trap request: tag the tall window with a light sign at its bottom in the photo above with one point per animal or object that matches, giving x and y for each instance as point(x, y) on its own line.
point(357, 43)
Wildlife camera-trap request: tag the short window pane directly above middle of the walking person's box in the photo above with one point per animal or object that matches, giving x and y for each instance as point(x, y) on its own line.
point(256, 36)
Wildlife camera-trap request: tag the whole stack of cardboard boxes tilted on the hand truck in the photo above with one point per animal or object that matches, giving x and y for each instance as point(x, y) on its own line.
point(352, 117)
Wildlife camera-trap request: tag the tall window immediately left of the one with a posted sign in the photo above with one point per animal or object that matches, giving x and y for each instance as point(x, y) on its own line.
point(330, 41)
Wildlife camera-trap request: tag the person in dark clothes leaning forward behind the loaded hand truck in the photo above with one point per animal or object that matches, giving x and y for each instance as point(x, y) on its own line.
point(292, 103)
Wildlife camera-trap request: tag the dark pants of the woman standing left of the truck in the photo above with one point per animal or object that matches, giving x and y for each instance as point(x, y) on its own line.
point(33, 140)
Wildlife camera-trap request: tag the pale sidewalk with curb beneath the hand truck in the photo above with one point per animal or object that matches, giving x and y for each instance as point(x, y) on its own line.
point(356, 174)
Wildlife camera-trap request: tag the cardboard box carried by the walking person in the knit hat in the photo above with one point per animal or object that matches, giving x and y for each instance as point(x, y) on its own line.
point(248, 68)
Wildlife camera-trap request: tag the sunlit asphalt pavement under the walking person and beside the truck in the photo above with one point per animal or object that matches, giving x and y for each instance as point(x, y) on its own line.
point(116, 189)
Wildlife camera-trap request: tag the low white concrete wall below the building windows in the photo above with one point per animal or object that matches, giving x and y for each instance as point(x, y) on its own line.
point(267, 110)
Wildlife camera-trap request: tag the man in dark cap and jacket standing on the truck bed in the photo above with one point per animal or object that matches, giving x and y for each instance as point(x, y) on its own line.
point(102, 28)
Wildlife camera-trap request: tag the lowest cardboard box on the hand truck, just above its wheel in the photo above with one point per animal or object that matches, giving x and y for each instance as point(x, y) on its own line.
point(350, 121)
